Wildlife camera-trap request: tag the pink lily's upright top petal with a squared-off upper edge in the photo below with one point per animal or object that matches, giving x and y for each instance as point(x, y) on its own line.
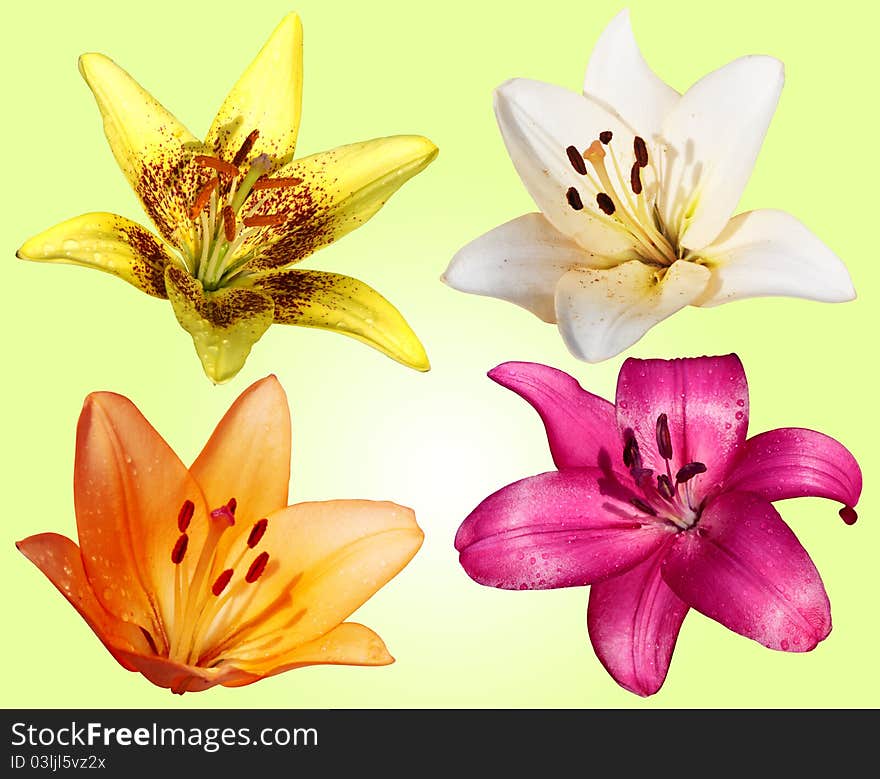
point(706, 400)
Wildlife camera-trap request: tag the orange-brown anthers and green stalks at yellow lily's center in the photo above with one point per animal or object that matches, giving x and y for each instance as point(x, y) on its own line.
point(220, 226)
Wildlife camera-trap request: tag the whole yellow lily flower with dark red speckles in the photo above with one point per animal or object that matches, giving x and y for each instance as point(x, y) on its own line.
point(236, 211)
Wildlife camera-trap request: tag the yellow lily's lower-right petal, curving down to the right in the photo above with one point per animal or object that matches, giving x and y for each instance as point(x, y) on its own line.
point(332, 301)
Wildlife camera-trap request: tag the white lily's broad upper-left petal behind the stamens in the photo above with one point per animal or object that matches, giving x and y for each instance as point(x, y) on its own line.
point(538, 122)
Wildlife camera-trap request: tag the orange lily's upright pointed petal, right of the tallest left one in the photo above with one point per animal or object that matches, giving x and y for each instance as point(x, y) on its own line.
point(247, 456)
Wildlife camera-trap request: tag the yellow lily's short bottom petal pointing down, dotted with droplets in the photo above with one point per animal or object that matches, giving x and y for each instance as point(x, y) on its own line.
point(224, 325)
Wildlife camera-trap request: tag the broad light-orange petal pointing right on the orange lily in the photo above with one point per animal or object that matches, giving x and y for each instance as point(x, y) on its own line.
point(325, 560)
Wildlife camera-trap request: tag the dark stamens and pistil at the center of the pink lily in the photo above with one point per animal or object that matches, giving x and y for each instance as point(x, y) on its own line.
point(670, 499)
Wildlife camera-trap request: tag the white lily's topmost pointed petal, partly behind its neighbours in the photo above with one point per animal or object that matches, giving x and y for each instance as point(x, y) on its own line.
point(619, 77)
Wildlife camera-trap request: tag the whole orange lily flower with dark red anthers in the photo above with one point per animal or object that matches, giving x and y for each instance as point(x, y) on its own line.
point(203, 576)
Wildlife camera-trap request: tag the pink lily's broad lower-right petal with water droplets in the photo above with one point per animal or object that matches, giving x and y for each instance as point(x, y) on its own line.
point(742, 566)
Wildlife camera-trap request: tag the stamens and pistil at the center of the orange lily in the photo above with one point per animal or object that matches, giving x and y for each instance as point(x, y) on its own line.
point(197, 605)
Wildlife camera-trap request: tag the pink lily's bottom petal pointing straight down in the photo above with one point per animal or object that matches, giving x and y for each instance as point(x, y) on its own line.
point(634, 621)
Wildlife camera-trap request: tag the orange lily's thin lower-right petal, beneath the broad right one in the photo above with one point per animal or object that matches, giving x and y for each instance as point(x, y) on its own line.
point(347, 644)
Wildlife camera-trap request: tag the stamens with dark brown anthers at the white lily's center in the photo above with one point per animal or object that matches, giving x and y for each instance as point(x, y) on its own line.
point(622, 202)
